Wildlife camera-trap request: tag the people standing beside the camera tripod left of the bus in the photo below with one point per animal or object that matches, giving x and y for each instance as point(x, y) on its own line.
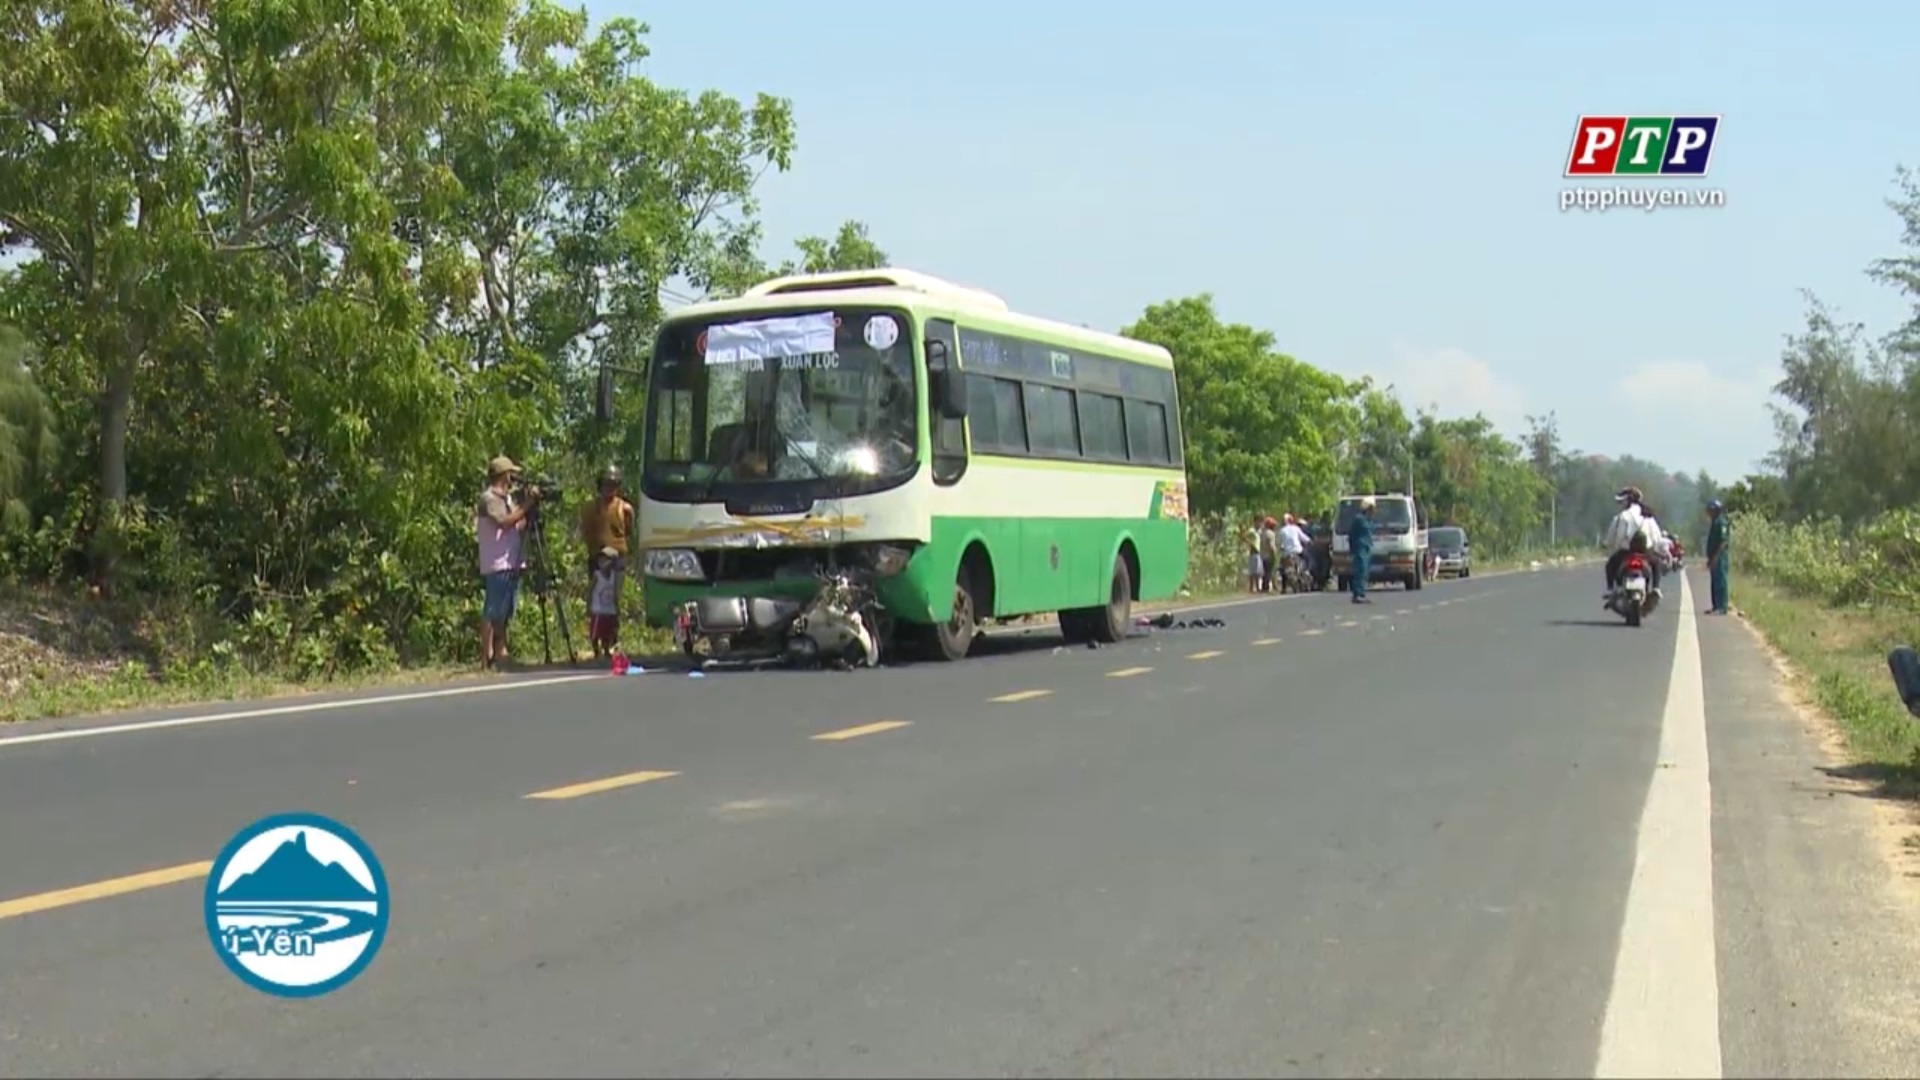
point(500, 529)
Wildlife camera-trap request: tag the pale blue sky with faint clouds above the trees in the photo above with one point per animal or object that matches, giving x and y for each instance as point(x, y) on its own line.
point(1378, 187)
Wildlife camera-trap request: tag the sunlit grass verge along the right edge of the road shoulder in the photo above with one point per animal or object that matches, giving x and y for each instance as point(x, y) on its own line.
point(1842, 658)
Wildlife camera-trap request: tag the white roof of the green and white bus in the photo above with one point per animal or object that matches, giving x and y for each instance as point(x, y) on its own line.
point(926, 295)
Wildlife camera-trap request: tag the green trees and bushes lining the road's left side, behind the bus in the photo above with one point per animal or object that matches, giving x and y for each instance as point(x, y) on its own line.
point(277, 287)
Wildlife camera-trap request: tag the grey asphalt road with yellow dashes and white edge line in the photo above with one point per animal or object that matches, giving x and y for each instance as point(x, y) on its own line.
point(1466, 833)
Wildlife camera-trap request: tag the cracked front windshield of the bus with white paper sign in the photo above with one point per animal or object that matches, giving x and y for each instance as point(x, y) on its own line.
point(782, 397)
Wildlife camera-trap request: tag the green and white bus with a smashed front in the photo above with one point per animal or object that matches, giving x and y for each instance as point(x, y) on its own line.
point(984, 464)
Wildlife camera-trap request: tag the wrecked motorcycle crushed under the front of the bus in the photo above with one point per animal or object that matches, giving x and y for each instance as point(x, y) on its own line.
point(844, 626)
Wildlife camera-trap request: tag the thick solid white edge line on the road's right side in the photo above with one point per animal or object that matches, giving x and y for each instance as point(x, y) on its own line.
point(1664, 1012)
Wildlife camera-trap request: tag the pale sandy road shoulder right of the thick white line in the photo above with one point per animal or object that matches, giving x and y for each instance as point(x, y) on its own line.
point(1817, 900)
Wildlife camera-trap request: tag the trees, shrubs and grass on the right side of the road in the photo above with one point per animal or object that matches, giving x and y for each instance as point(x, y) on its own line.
point(1827, 541)
